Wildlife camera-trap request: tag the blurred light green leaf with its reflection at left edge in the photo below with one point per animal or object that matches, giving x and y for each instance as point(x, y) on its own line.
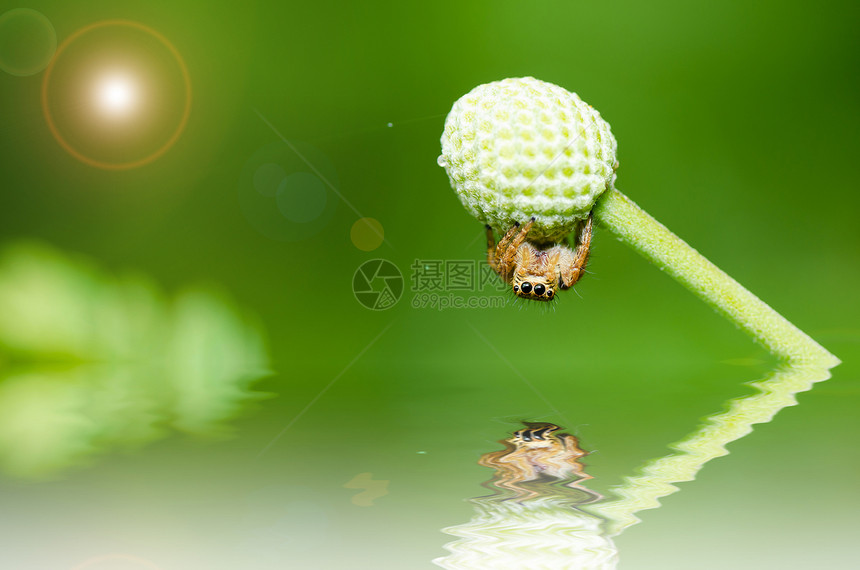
point(90, 362)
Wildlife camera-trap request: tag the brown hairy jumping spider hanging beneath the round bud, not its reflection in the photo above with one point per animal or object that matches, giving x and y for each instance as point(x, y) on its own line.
point(537, 273)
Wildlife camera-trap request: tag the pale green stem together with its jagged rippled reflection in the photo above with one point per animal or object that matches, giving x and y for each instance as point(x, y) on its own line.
point(805, 361)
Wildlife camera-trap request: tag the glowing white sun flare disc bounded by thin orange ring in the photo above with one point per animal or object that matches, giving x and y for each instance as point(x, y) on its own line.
point(116, 95)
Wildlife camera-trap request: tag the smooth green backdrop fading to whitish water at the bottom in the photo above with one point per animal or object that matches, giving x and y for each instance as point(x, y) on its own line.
point(737, 128)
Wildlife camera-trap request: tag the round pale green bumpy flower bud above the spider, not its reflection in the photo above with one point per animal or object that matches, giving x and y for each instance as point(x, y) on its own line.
point(521, 148)
